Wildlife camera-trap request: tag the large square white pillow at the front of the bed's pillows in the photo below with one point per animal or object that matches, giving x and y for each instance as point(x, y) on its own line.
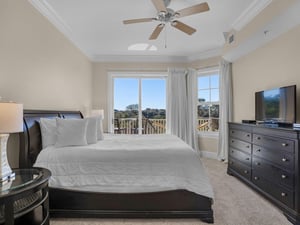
point(71, 132)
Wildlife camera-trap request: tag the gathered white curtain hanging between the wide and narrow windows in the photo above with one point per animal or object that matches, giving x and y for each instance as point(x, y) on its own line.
point(182, 105)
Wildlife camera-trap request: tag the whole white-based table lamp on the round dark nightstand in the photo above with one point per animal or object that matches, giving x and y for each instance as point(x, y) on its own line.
point(11, 121)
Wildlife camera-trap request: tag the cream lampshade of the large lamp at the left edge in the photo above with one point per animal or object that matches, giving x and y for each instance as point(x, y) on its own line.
point(11, 117)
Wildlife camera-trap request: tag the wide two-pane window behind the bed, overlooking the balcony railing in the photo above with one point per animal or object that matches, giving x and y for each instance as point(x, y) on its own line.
point(138, 103)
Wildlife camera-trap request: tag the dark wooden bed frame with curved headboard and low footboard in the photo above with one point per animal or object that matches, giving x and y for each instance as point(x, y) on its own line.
point(69, 203)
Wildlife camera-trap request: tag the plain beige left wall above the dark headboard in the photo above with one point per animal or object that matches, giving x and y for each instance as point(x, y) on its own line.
point(39, 67)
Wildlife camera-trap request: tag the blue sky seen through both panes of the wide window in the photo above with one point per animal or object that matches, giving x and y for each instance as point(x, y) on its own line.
point(126, 92)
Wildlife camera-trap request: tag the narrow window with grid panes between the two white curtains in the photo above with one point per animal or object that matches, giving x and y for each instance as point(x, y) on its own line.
point(208, 101)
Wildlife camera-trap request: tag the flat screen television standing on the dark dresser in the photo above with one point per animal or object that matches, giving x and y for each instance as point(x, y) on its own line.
point(276, 105)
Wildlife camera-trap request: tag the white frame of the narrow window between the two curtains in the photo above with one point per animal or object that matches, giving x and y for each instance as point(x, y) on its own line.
point(201, 73)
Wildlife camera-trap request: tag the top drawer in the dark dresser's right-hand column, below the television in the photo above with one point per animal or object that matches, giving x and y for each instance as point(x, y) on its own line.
point(274, 143)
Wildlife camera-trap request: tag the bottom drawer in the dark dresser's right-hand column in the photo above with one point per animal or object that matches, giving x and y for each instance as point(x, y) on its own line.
point(282, 194)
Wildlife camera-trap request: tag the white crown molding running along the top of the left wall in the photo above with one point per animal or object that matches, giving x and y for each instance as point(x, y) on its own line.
point(47, 11)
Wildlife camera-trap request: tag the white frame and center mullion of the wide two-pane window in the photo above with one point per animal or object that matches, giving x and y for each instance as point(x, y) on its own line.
point(129, 74)
